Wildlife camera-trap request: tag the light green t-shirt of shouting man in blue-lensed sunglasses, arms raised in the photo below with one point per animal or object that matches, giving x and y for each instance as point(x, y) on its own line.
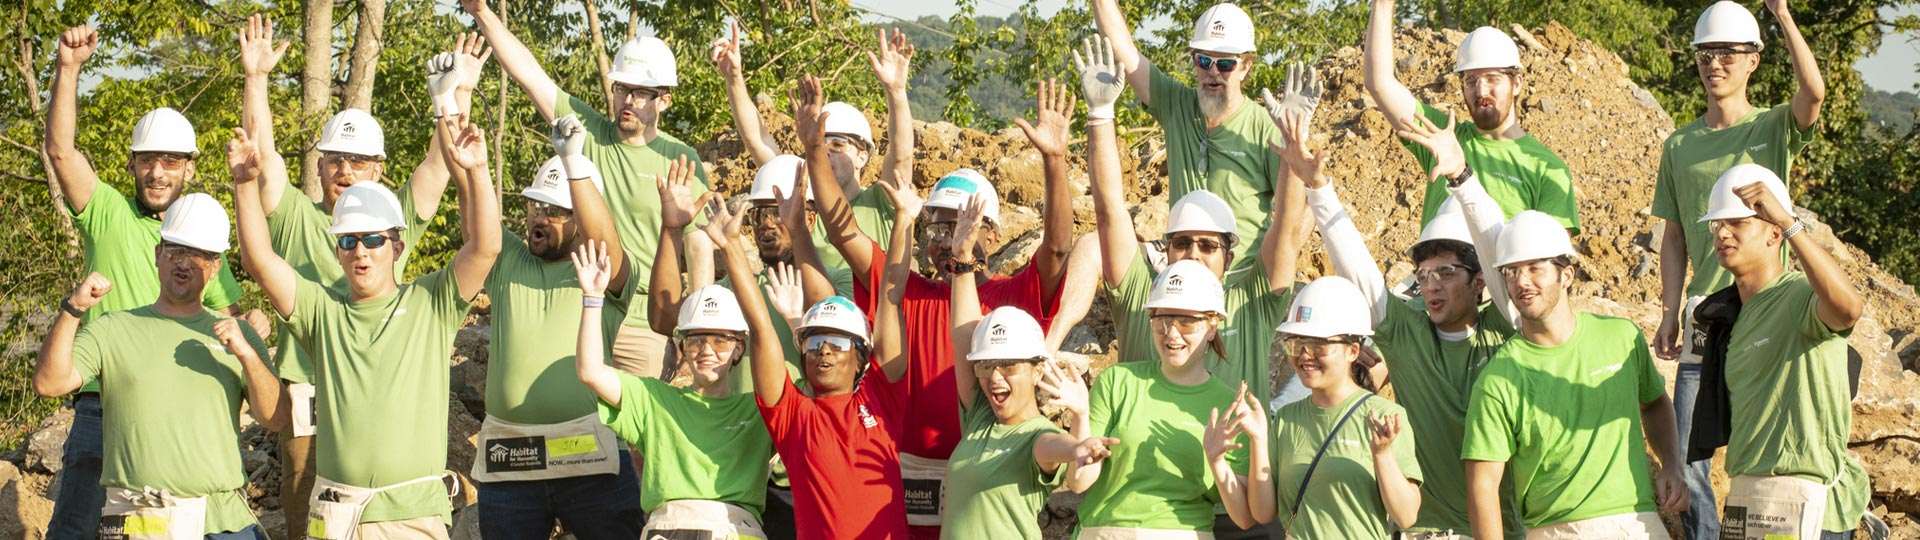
point(381, 389)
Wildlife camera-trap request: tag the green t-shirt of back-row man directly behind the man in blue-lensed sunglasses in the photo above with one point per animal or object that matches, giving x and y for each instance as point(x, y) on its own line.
point(299, 235)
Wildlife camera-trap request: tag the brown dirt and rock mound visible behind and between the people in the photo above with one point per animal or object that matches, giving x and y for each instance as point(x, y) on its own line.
point(1579, 101)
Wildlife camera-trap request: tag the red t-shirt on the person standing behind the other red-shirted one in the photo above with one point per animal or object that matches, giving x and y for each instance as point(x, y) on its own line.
point(934, 428)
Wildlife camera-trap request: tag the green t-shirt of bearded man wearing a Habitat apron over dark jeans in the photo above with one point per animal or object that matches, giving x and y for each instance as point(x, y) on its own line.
point(531, 356)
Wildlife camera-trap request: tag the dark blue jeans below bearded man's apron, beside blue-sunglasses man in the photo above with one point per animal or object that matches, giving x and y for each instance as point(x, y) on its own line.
point(600, 506)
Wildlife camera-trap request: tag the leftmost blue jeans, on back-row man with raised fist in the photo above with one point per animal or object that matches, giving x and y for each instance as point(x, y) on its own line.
point(80, 499)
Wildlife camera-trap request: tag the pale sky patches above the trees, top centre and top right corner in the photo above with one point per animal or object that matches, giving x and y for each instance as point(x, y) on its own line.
point(1892, 68)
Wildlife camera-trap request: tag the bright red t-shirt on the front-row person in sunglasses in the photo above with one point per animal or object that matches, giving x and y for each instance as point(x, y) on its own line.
point(842, 460)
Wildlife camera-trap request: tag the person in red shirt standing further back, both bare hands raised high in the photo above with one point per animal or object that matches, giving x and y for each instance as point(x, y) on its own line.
point(932, 433)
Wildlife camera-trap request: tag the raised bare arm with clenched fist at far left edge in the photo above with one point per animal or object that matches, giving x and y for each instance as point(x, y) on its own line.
point(70, 166)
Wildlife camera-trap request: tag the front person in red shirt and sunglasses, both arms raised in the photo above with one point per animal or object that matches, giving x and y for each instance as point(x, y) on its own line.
point(840, 443)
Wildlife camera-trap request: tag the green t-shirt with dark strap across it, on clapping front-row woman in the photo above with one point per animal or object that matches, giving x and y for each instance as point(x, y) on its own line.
point(1343, 501)
